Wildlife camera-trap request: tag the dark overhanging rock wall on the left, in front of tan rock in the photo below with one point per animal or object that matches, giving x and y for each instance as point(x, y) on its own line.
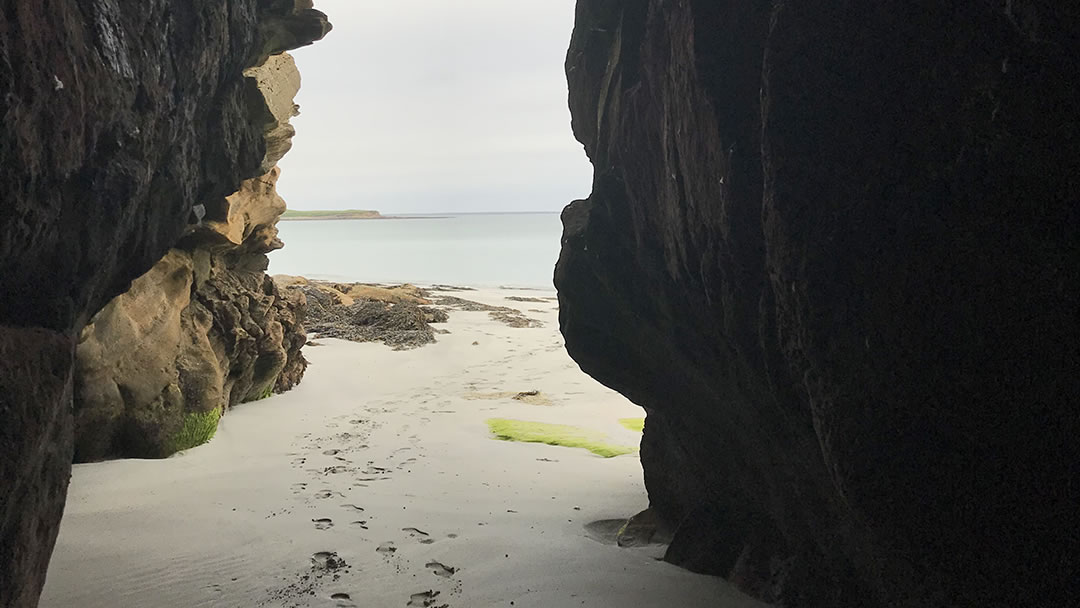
point(120, 118)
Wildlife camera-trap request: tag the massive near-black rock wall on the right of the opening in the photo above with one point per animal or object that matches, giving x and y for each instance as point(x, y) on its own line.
point(832, 248)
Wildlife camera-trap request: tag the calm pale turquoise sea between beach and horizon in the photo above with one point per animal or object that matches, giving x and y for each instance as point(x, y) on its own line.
point(468, 250)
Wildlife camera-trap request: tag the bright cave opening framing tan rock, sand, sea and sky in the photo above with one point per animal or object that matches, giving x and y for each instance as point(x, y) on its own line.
point(400, 421)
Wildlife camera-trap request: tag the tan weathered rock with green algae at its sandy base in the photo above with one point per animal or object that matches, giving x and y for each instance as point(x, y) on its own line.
point(206, 329)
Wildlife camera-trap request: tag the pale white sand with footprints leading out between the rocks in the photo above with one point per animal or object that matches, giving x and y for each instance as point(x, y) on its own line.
point(232, 523)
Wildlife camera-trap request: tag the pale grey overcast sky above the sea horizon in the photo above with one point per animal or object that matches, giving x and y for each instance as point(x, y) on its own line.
point(418, 106)
